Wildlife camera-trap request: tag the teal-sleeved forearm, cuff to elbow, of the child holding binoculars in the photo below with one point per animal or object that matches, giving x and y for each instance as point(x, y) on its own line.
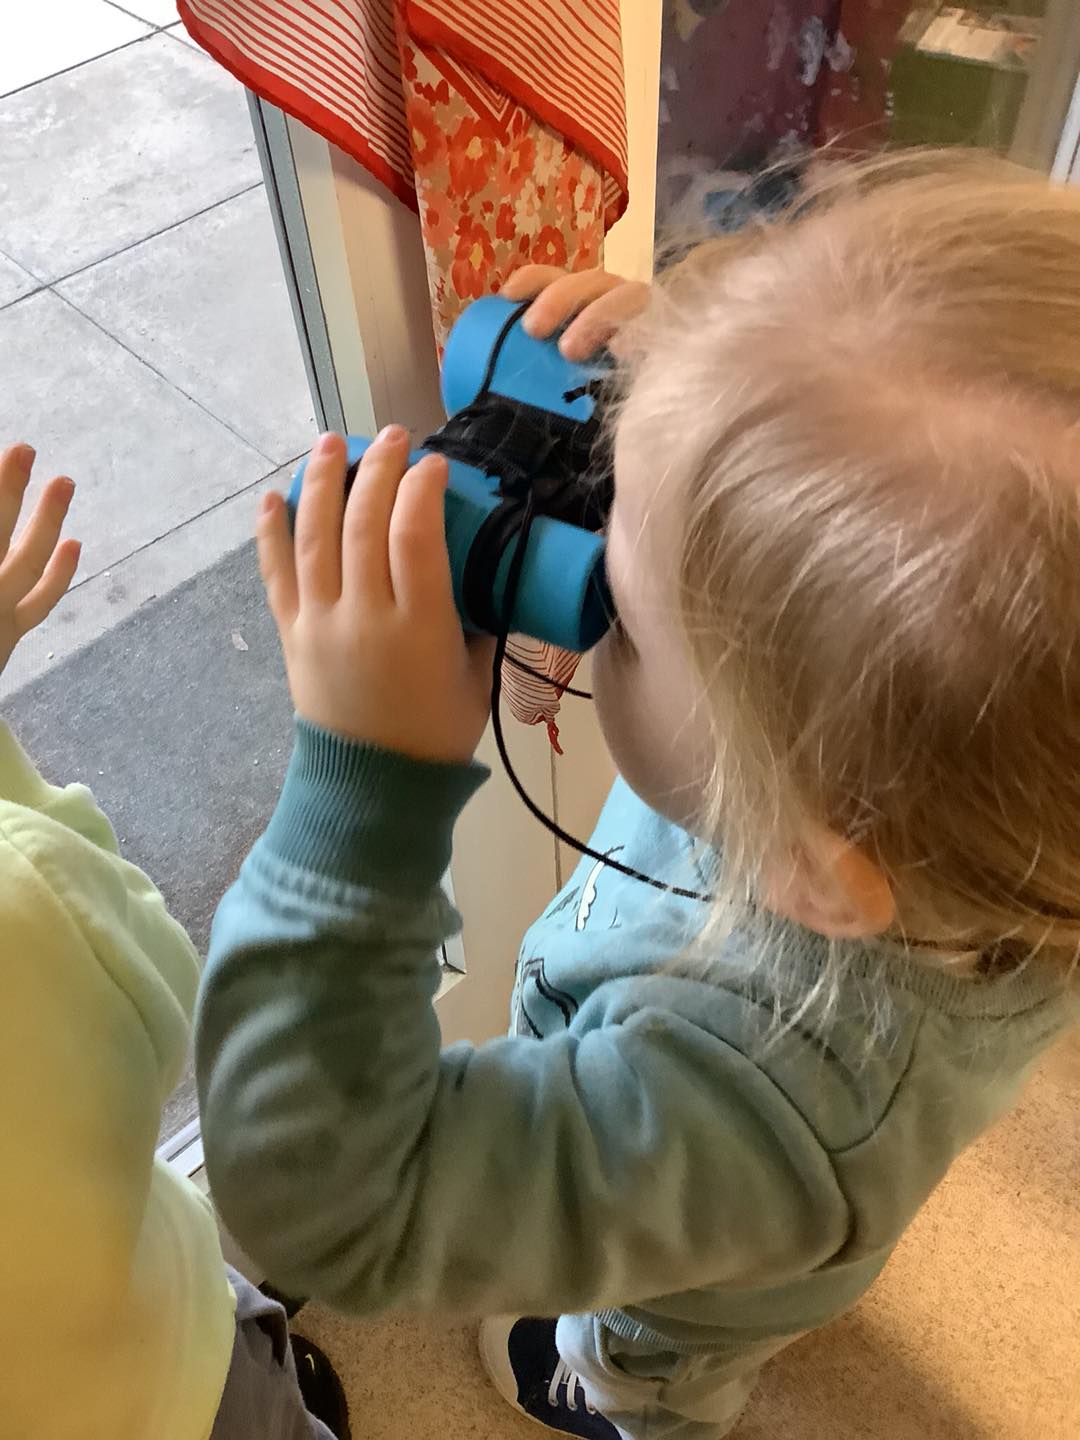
point(316, 1039)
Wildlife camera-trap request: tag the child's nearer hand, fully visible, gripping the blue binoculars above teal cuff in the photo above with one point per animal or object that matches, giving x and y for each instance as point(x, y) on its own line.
point(365, 607)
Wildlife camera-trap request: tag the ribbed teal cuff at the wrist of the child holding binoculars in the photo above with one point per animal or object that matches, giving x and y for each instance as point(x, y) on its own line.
point(366, 816)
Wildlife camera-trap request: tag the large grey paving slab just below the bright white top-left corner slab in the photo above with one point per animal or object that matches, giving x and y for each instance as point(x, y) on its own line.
point(107, 155)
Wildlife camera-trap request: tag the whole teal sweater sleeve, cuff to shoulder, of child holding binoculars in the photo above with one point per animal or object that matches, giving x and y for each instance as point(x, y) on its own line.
point(364, 1164)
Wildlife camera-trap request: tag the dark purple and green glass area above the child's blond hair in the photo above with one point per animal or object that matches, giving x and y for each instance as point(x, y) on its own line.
point(750, 83)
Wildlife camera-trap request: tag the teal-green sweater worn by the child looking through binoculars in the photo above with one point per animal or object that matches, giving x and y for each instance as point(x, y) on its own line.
point(633, 1150)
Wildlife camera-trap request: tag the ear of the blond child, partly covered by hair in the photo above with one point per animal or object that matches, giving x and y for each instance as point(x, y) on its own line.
point(830, 886)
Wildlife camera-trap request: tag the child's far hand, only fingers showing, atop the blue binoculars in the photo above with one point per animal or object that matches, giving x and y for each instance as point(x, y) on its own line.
point(603, 305)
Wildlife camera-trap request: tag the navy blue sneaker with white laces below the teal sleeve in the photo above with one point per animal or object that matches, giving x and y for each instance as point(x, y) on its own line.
point(531, 1374)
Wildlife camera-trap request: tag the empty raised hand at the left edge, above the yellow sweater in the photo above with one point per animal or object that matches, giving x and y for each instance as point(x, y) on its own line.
point(37, 571)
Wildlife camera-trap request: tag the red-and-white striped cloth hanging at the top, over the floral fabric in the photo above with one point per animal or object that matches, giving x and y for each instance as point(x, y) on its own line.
point(335, 64)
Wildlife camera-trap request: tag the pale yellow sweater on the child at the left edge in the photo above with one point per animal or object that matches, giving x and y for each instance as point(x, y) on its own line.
point(116, 1314)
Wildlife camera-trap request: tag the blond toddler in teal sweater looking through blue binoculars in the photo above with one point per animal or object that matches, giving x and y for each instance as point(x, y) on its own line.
point(845, 699)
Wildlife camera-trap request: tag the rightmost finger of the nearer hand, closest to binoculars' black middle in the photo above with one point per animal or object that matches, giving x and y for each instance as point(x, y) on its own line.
point(420, 561)
